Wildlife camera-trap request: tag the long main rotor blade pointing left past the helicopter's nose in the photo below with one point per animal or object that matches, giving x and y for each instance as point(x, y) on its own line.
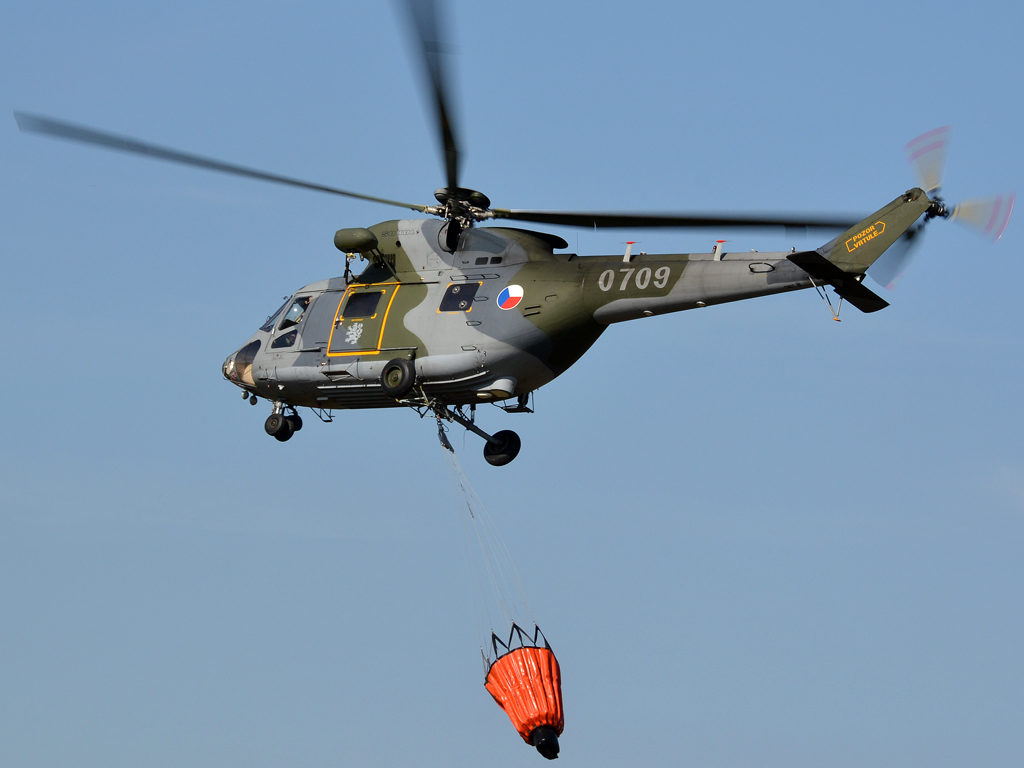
point(61, 130)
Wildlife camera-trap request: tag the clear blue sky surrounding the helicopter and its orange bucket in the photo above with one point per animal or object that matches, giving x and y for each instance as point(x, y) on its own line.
point(753, 536)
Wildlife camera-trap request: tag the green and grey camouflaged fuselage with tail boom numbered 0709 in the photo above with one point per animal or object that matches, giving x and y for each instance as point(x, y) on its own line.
point(440, 310)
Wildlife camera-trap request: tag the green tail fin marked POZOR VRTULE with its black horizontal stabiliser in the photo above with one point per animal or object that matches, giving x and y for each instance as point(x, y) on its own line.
point(842, 263)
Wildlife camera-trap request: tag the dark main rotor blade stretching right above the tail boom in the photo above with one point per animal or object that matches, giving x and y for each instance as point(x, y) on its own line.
point(710, 221)
